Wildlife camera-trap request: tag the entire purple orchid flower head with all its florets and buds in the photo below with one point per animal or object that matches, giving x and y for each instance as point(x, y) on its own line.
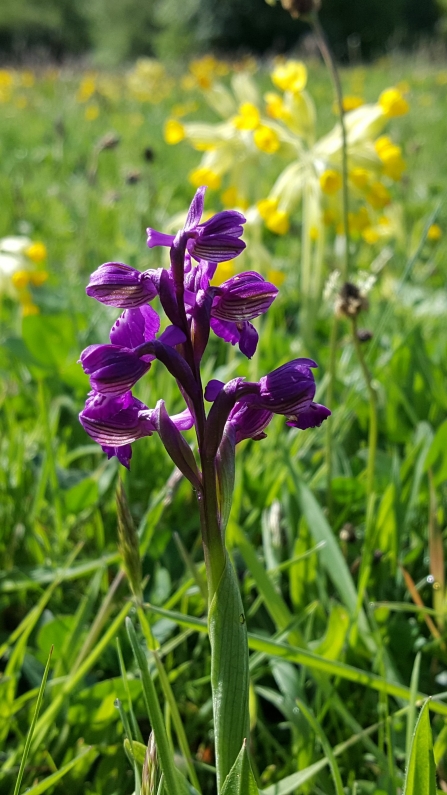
point(115, 418)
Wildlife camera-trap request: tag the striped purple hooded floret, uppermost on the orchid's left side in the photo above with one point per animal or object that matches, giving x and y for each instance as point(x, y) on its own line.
point(116, 284)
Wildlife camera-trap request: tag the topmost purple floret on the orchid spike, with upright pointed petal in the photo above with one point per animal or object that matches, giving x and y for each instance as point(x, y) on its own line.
point(215, 240)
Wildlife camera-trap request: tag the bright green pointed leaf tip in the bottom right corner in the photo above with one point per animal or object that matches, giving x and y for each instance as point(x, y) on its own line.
point(421, 772)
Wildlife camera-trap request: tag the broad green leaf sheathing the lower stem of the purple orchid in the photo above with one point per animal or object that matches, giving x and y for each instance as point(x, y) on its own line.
point(229, 672)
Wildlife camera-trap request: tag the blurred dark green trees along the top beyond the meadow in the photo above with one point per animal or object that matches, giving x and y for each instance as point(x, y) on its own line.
point(112, 31)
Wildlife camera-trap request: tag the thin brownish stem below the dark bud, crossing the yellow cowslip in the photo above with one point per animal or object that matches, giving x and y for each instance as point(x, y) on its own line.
point(333, 71)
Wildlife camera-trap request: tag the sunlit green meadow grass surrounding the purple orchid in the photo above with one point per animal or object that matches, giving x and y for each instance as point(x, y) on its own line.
point(329, 612)
